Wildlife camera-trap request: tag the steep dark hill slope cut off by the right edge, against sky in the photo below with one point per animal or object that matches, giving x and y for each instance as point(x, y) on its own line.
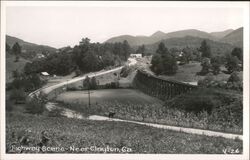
point(235, 37)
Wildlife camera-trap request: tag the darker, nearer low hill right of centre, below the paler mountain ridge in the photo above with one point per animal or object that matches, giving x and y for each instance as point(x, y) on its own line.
point(192, 42)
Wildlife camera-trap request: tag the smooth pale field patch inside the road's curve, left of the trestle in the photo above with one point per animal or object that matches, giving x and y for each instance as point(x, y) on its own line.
point(124, 96)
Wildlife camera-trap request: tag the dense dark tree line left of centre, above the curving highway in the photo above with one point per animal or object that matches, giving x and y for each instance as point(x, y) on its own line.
point(83, 58)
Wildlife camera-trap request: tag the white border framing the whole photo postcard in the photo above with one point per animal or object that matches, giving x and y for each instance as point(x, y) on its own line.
point(243, 5)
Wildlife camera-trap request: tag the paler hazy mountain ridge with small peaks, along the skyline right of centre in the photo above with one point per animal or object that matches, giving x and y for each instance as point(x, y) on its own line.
point(158, 36)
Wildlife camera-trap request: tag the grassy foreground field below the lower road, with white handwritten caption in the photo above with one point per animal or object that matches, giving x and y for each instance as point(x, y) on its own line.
point(64, 133)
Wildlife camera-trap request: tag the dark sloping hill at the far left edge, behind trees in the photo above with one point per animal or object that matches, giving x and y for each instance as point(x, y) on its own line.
point(29, 50)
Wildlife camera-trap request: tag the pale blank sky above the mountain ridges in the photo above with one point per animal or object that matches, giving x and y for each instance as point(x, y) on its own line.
point(61, 26)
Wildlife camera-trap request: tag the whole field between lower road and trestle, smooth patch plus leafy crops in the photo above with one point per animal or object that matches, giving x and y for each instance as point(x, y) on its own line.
point(133, 105)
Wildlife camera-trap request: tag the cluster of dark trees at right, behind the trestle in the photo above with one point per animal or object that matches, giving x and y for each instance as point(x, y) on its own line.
point(165, 60)
